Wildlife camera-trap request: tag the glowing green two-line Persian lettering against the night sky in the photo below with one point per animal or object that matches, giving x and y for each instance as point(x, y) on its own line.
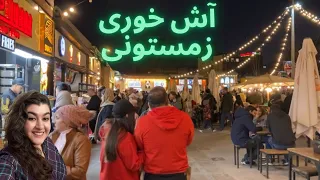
point(139, 24)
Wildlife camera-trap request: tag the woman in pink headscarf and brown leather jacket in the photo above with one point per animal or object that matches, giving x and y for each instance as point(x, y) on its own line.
point(72, 143)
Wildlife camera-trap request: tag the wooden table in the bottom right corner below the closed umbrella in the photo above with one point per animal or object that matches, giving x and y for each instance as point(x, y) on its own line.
point(308, 154)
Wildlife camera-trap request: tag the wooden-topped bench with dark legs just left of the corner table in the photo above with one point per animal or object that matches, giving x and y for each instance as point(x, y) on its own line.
point(268, 153)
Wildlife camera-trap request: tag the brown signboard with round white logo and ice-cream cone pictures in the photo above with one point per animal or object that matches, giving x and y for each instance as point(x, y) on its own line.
point(67, 51)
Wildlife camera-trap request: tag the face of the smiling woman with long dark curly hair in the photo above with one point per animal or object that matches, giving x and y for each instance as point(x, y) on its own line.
point(37, 126)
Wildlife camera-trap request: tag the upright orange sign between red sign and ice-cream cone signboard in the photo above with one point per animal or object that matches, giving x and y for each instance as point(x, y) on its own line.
point(46, 35)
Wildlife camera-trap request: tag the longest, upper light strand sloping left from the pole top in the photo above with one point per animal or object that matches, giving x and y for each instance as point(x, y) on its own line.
point(246, 45)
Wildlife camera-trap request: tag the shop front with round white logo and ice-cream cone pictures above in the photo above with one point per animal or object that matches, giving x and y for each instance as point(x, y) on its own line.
point(70, 65)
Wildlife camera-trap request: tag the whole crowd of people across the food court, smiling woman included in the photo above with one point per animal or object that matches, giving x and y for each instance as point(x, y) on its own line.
point(141, 133)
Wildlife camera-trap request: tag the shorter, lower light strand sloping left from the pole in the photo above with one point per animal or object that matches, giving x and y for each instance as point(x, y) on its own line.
point(267, 40)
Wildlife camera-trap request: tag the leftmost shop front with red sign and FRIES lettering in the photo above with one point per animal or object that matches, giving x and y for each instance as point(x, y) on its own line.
point(26, 46)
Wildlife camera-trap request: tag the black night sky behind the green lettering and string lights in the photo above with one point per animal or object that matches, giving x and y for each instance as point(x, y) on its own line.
point(237, 22)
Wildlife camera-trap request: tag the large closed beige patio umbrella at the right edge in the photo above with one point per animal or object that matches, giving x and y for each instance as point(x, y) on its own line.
point(305, 104)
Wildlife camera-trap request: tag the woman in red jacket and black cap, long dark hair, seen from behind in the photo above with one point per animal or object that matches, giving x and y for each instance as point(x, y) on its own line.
point(119, 154)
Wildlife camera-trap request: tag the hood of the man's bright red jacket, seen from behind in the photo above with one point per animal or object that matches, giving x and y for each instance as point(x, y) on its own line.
point(167, 118)
